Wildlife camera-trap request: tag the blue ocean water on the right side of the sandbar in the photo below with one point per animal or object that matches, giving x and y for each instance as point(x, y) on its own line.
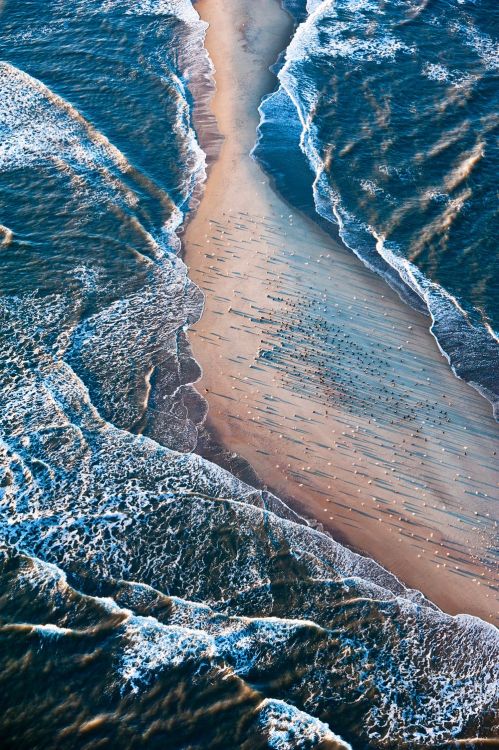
point(394, 106)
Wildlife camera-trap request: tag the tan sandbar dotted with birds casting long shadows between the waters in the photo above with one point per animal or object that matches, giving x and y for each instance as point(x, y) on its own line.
point(318, 374)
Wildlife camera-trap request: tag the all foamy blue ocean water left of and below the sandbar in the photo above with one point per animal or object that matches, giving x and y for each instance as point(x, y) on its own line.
point(149, 598)
